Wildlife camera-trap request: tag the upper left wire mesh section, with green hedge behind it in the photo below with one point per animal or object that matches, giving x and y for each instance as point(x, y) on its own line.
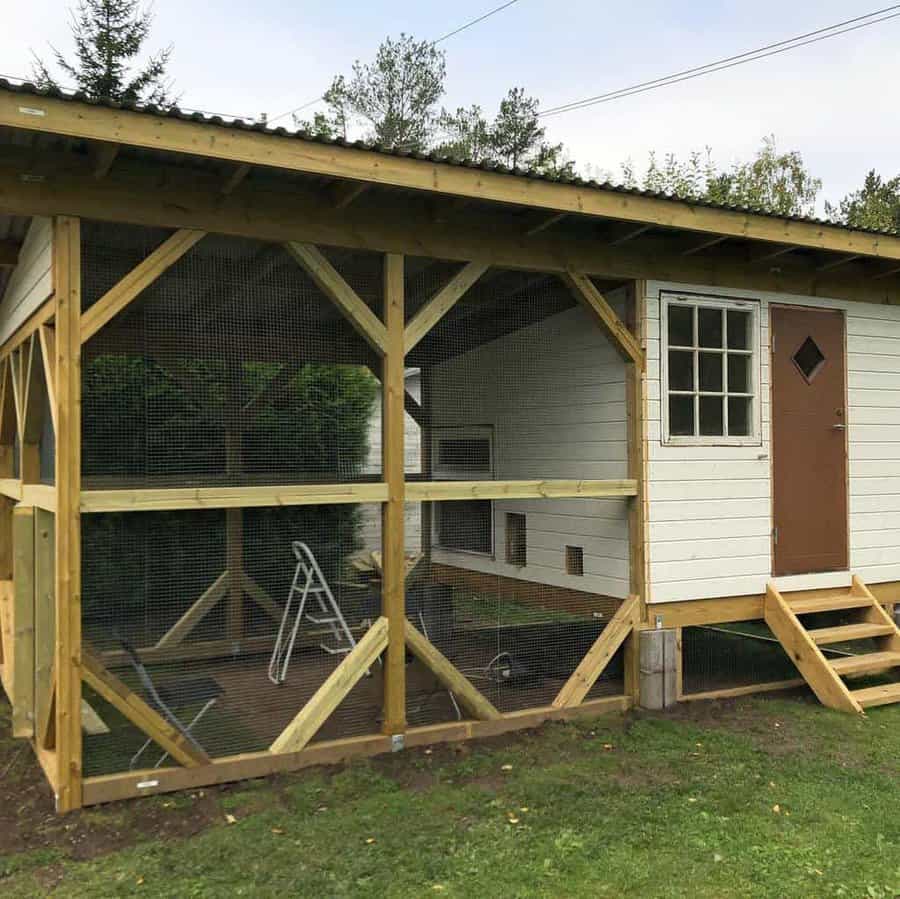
point(231, 368)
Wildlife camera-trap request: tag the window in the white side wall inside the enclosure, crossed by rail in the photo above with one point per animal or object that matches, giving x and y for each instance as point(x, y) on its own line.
point(464, 454)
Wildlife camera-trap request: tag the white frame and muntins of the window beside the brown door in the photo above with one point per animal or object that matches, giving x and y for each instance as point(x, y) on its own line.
point(707, 301)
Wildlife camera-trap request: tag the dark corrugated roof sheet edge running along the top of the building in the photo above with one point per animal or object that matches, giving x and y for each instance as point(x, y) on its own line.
point(237, 124)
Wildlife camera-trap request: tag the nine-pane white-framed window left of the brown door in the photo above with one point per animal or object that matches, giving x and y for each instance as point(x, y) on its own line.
point(709, 349)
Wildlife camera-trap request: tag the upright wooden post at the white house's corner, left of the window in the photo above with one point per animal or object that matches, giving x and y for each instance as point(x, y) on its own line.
point(635, 400)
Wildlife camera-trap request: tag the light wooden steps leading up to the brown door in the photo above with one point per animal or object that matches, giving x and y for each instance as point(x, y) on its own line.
point(863, 619)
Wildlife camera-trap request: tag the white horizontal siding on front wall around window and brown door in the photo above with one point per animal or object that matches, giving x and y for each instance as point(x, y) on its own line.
point(710, 506)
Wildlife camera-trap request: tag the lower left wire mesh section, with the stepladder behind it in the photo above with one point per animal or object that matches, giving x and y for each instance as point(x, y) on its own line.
point(201, 600)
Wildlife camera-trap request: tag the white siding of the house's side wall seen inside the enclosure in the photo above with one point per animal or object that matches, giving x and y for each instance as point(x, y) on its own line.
point(554, 394)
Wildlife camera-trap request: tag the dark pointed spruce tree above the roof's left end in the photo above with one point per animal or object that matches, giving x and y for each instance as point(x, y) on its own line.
point(109, 36)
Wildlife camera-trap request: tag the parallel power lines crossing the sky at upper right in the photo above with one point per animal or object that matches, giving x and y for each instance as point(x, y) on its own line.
point(729, 62)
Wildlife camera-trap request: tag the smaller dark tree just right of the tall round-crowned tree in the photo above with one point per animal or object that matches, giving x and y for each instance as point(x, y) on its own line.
point(515, 138)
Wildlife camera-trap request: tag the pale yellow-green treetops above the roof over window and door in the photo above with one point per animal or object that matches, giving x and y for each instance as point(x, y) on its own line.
point(772, 182)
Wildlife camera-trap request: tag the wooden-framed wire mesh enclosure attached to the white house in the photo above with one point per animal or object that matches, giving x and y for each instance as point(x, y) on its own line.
point(327, 499)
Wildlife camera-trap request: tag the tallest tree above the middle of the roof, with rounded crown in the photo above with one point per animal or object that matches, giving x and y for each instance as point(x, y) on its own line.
point(395, 96)
